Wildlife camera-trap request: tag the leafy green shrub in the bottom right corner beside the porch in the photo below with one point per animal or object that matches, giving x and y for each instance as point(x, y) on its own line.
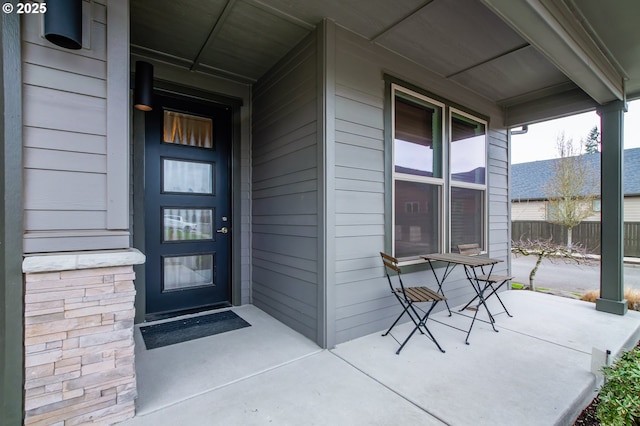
point(620, 395)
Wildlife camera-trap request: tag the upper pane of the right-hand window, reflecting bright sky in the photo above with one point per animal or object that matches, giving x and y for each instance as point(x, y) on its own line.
point(468, 150)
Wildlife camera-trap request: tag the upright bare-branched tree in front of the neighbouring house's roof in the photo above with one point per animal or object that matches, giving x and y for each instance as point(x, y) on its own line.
point(573, 186)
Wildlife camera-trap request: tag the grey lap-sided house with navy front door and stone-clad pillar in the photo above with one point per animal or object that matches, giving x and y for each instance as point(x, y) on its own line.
point(301, 138)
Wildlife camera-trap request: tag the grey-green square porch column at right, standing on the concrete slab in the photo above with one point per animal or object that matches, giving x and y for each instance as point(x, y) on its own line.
point(612, 219)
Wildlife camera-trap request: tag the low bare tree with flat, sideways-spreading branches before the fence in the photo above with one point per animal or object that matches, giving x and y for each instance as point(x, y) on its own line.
point(542, 249)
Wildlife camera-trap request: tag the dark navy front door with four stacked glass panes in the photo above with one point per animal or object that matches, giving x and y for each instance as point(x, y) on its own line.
point(187, 208)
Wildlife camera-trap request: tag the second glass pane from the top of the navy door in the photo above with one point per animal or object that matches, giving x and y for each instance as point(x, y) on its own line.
point(192, 177)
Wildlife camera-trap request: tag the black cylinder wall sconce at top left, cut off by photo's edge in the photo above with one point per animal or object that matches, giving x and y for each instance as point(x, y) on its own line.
point(63, 23)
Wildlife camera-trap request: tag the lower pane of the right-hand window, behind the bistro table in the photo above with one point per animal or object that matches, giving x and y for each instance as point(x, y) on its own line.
point(467, 217)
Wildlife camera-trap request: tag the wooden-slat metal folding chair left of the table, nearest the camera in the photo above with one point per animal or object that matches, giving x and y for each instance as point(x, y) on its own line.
point(408, 298)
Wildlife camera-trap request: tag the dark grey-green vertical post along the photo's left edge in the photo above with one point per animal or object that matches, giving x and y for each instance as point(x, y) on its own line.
point(11, 285)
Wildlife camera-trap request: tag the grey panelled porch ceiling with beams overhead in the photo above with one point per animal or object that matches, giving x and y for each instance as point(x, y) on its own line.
point(520, 54)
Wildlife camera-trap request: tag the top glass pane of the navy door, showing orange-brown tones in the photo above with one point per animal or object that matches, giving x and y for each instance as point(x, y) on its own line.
point(190, 130)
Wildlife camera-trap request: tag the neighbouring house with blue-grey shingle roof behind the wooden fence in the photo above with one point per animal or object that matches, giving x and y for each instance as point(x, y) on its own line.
point(528, 182)
